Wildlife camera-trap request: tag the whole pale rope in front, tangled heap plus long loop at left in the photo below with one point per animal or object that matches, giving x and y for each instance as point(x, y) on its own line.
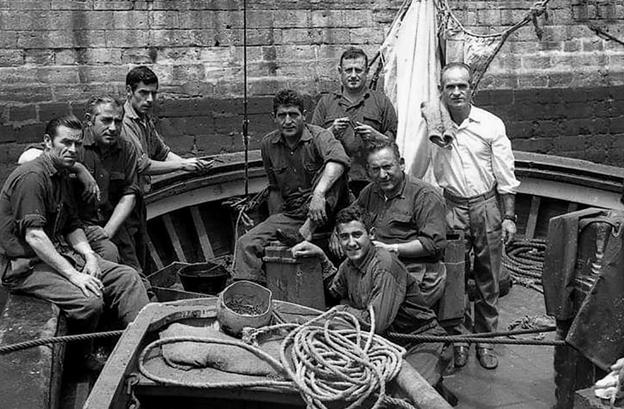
point(328, 365)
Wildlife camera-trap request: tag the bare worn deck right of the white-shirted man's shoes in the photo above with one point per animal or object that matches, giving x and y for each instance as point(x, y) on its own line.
point(525, 375)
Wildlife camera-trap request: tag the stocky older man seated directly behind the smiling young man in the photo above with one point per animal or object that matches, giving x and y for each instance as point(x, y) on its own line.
point(408, 216)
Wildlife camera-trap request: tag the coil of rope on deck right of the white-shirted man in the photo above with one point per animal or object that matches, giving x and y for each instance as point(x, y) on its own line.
point(524, 259)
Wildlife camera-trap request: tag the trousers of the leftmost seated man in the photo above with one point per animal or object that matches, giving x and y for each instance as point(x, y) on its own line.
point(123, 292)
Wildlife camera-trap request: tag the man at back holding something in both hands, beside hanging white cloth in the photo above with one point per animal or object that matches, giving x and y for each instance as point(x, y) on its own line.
point(356, 115)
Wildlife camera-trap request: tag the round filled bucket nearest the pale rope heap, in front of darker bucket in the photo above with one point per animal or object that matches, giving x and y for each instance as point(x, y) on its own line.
point(244, 304)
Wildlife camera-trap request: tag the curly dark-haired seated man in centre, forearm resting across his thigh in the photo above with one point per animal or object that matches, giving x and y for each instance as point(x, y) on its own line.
point(306, 166)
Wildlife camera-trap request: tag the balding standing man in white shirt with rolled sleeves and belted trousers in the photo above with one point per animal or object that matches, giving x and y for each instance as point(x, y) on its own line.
point(475, 173)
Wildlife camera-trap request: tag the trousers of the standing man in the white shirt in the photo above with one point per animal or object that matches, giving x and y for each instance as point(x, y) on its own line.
point(480, 219)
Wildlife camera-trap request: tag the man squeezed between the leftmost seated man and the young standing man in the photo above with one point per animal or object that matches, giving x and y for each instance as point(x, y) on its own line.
point(112, 162)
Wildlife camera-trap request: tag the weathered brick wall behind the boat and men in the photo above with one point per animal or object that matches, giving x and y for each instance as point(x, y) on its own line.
point(54, 54)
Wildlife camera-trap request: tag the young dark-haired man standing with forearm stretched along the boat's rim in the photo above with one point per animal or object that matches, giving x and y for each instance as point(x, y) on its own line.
point(155, 157)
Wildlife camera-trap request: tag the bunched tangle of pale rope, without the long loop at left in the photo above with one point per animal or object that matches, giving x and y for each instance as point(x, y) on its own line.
point(341, 365)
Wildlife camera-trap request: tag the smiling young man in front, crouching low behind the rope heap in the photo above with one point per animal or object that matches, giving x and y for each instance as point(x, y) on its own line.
point(374, 276)
